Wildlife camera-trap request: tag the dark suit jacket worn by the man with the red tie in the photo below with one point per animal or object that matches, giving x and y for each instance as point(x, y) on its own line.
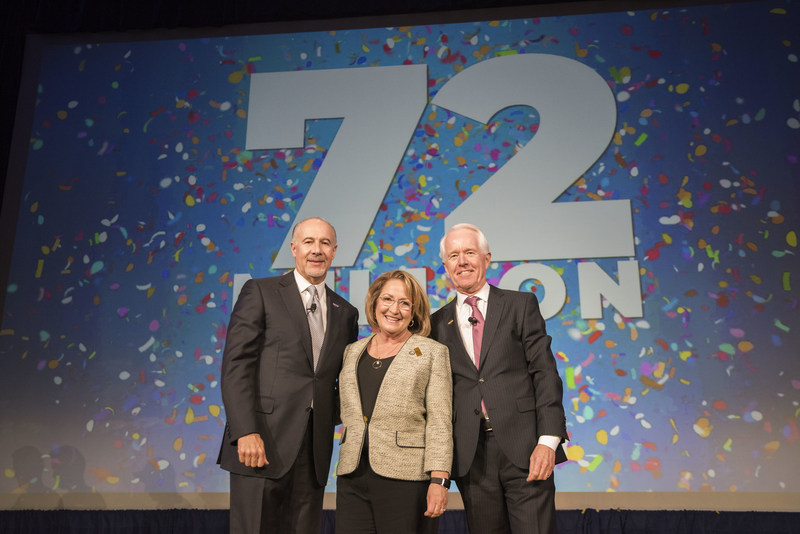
point(518, 379)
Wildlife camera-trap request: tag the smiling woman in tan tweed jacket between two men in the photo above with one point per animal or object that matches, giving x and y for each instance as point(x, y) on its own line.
point(395, 390)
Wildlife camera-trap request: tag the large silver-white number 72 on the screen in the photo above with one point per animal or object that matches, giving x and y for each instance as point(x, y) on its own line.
point(381, 107)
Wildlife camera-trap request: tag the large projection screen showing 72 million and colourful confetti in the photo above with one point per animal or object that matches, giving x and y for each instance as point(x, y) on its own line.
point(637, 170)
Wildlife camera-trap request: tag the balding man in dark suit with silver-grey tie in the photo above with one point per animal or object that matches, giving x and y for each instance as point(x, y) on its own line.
point(282, 357)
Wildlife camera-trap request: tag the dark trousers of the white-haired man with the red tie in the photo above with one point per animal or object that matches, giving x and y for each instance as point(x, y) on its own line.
point(498, 499)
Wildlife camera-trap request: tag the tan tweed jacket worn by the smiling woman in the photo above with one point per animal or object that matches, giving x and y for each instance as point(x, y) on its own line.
point(411, 431)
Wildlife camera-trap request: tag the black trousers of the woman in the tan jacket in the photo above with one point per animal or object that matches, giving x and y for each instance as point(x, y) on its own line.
point(369, 503)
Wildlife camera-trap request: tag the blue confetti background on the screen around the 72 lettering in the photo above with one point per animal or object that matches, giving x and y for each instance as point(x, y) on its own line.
point(141, 207)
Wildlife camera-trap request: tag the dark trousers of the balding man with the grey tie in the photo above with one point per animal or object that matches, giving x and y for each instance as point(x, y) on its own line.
point(288, 505)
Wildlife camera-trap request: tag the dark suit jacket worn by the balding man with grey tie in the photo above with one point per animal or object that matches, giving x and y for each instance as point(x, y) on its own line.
point(268, 380)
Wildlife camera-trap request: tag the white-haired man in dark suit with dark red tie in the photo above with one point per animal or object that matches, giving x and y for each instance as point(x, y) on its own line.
point(508, 416)
